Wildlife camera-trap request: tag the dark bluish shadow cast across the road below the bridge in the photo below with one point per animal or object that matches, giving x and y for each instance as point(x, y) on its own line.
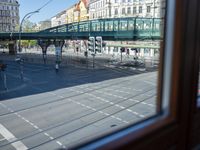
point(40, 78)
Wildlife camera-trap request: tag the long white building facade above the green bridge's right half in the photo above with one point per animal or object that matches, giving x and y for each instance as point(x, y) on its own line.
point(126, 8)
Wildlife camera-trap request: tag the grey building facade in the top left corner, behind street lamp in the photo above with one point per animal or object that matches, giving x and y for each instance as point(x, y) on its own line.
point(9, 15)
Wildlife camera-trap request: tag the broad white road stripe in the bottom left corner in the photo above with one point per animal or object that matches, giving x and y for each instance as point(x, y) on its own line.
point(10, 137)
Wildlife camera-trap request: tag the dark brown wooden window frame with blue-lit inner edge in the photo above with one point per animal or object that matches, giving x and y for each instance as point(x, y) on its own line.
point(175, 124)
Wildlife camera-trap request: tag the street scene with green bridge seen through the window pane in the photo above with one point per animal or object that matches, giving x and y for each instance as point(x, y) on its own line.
point(78, 74)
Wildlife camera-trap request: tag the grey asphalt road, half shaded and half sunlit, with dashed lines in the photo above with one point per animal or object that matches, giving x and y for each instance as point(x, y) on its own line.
point(52, 110)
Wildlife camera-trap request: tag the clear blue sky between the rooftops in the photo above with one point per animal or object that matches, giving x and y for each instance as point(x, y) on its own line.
point(50, 10)
